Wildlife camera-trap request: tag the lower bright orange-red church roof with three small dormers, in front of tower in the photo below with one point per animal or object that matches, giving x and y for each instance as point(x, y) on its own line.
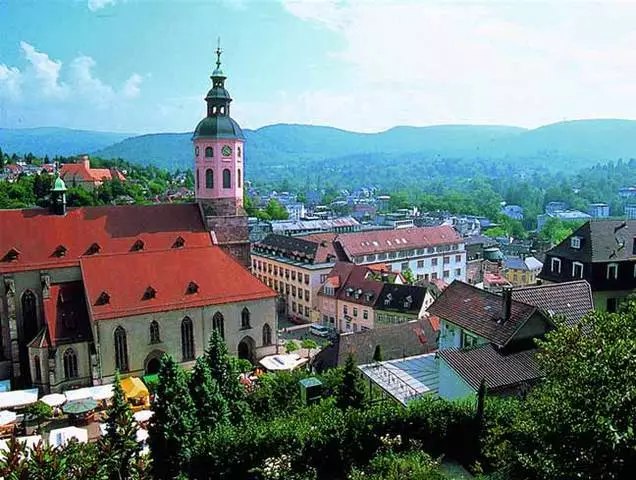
point(183, 278)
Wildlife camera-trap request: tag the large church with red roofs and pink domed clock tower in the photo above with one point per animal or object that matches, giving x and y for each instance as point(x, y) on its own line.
point(87, 291)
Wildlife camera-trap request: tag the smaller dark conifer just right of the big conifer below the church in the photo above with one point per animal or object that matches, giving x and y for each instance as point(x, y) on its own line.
point(212, 408)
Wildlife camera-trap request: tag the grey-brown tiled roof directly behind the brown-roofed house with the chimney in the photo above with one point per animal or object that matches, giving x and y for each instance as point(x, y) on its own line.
point(572, 300)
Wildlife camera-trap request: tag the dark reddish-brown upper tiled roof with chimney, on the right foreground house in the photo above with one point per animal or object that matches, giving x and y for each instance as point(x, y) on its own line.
point(480, 312)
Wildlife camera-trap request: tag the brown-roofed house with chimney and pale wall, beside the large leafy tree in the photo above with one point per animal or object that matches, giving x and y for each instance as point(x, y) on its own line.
point(486, 336)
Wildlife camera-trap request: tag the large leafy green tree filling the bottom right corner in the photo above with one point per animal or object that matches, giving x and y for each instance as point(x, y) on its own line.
point(579, 423)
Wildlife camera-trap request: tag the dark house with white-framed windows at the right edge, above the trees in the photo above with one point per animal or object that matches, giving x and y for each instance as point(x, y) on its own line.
point(603, 252)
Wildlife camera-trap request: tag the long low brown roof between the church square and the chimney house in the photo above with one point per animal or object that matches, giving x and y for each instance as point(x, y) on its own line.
point(415, 337)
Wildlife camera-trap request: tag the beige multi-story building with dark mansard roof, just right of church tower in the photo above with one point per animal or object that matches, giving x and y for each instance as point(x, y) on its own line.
point(295, 267)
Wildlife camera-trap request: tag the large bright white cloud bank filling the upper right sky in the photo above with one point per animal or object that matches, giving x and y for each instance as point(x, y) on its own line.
point(424, 62)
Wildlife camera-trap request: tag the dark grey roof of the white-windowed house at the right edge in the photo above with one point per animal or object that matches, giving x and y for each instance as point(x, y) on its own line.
point(601, 241)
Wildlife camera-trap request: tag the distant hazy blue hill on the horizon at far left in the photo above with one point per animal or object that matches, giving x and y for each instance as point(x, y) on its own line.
point(53, 141)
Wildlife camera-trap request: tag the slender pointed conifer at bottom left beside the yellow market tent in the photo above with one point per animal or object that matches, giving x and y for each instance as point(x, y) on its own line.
point(120, 442)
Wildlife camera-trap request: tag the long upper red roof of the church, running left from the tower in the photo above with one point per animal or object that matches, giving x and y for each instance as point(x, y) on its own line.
point(36, 236)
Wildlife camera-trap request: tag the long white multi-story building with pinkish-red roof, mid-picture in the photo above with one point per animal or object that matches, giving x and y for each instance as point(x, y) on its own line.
point(429, 253)
